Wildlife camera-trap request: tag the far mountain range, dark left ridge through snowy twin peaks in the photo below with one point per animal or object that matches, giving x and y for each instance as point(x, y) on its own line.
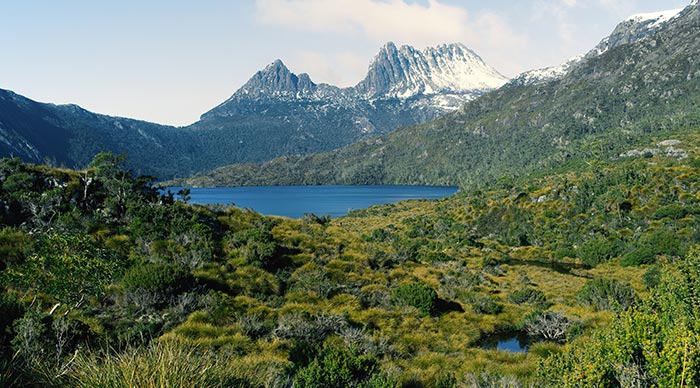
point(275, 113)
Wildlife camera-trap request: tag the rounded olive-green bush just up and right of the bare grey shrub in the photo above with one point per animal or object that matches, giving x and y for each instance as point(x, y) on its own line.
point(607, 294)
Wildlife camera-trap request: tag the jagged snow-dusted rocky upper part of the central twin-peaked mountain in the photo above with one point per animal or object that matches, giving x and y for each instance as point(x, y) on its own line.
point(451, 71)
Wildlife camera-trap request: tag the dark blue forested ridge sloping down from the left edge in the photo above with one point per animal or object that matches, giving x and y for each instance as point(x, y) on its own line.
point(71, 136)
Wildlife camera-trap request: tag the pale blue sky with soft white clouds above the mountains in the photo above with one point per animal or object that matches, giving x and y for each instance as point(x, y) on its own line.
point(169, 61)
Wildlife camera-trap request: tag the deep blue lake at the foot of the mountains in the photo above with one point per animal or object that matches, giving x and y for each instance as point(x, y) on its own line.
point(294, 201)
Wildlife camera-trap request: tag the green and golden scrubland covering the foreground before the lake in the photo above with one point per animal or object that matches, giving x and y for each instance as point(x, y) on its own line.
point(108, 281)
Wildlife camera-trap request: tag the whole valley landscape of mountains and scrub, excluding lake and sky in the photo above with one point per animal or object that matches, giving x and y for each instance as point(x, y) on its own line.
point(567, 258)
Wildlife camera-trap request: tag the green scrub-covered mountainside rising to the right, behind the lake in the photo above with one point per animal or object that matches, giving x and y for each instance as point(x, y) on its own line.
point(634, 91)
